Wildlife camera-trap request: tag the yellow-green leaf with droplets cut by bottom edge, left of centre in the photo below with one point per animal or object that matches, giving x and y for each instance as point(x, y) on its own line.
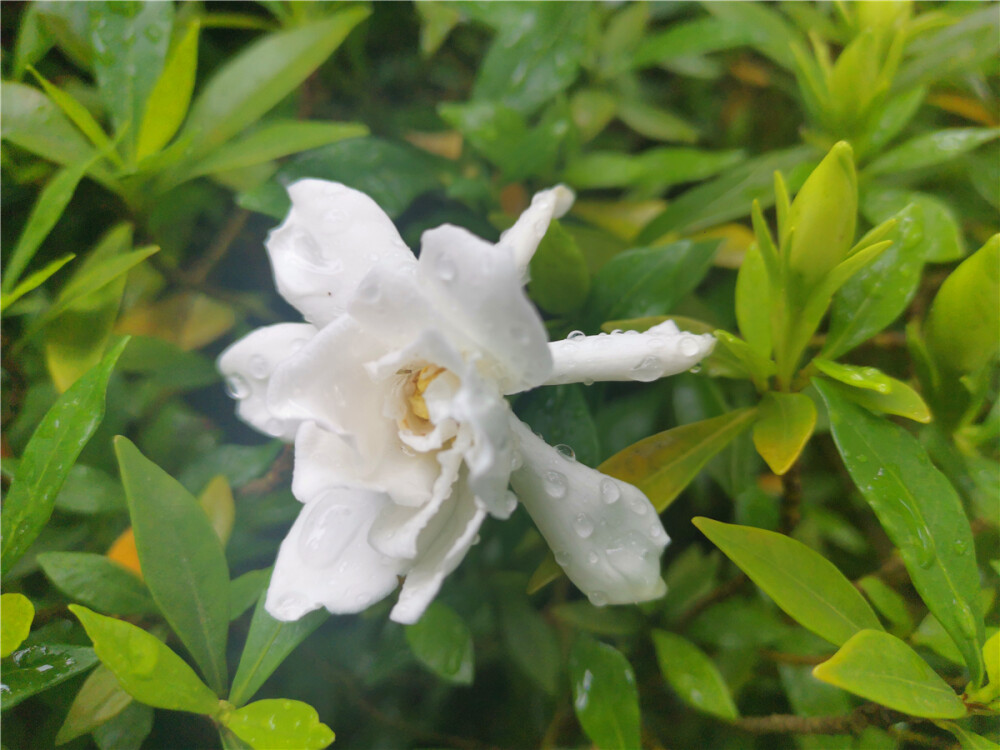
point(279, 725)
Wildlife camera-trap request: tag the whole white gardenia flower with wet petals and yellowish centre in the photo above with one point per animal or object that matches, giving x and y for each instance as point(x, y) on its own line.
point(393, 392)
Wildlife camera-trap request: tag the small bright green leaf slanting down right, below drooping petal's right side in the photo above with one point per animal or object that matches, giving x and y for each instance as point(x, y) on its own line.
point(693, 676)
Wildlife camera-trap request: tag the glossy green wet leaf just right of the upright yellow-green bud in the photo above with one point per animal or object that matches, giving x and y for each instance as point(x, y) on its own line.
point(879, 293)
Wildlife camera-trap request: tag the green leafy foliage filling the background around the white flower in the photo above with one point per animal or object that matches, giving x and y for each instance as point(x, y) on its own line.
point(817, 184)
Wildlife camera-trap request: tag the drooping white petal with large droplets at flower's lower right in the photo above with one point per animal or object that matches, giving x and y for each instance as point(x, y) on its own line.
point(605, 533)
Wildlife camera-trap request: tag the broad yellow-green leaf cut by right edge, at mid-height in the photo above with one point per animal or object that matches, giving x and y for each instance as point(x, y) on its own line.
point(963, 327)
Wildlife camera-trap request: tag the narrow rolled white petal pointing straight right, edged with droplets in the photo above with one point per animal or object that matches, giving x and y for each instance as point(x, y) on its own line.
point(660, 351)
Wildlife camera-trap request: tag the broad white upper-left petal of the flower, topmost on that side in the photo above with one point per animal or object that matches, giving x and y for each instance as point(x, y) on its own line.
point(332, 237)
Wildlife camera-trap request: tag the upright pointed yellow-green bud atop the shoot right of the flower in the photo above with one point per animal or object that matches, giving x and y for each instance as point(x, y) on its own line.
point(822, 219)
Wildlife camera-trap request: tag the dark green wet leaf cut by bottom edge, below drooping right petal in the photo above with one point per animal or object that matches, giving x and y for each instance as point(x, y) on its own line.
point(604, 695)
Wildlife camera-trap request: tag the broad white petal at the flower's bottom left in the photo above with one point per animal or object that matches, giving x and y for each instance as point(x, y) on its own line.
point(326, 561)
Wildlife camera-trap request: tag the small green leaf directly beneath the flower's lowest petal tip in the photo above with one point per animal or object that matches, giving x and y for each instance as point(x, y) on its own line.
point(442, 642)
